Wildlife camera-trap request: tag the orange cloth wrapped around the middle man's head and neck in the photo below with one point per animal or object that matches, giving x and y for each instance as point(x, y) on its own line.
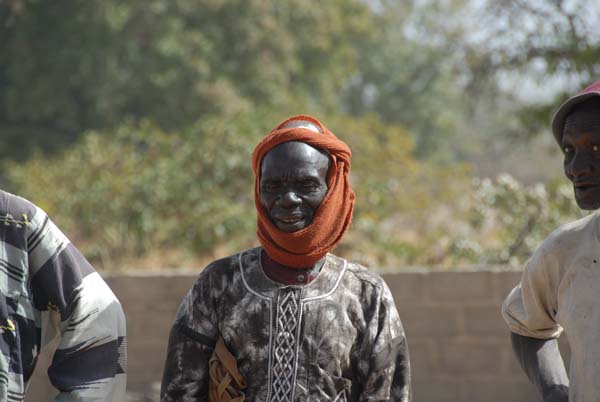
point(305, 247)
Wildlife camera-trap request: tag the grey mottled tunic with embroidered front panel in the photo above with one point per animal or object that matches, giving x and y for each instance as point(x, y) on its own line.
point(336, 339)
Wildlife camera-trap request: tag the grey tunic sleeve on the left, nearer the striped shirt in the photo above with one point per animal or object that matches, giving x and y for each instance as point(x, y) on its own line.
point(194, 333)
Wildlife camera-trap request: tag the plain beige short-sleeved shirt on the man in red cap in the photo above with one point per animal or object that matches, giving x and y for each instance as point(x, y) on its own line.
point(560, 289)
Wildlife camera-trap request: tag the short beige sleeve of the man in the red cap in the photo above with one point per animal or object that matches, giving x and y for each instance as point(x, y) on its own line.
point(530, 308)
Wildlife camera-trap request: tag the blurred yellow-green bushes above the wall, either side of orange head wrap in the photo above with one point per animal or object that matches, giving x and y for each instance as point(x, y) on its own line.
point(138, 190)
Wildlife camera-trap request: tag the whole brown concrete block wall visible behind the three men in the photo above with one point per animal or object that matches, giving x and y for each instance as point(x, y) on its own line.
point(459, 345)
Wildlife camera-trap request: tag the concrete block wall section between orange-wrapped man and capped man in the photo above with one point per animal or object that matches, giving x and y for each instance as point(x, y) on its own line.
point(459, 344)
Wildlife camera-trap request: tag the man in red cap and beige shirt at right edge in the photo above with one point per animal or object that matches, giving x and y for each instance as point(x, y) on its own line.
point(560, 288)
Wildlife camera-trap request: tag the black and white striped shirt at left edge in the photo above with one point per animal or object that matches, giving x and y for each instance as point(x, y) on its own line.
point(49, 290)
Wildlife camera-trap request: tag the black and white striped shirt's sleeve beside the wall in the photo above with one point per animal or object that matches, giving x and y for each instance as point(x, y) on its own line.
point(77, 306)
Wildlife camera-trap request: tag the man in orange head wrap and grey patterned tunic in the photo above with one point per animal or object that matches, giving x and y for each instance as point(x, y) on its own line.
point(300, 323)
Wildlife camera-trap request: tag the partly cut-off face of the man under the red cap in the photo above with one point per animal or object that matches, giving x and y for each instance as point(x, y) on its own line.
point(581, 148)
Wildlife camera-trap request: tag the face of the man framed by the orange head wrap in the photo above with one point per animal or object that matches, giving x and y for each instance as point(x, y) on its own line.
point(293, 183)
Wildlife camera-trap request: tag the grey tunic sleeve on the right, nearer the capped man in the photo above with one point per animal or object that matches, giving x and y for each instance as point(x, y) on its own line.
point(388, 374)
